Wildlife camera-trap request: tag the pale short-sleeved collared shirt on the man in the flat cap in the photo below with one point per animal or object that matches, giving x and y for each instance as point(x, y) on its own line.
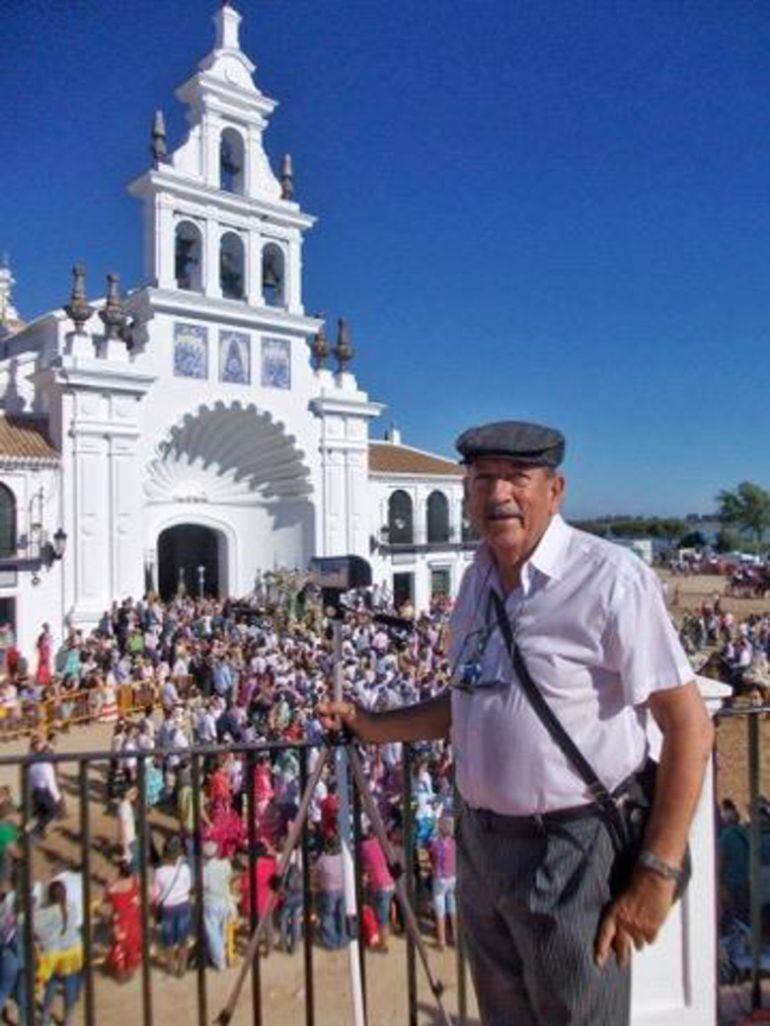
point(592, 625)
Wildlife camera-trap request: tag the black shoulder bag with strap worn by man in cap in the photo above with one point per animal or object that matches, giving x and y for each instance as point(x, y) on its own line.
point(627, 813)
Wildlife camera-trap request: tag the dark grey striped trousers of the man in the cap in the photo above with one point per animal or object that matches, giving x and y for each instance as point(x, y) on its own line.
point(530, 909)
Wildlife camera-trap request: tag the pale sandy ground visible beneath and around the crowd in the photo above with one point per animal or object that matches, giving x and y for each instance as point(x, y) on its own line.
point(282, 977)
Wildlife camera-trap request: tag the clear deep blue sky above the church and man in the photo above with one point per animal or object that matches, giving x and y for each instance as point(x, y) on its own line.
point(555, 212)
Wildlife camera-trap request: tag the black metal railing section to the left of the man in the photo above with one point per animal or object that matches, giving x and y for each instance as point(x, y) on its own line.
point(90, 784)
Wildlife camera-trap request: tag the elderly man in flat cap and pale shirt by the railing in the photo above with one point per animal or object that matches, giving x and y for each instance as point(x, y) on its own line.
point(549, 944)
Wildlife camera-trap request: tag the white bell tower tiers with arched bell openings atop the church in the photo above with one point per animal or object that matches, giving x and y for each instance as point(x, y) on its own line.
point(219, 223)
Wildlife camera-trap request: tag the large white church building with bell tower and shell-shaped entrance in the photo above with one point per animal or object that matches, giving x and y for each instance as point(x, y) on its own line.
point(202, 429)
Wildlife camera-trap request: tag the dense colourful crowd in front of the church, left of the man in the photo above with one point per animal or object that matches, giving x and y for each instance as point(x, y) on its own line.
point(215, 673)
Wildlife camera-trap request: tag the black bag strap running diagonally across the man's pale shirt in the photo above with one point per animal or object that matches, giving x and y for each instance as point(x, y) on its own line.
point(552, 724)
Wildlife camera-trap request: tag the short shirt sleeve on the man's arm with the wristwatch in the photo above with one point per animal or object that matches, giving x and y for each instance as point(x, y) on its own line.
point(641, 643)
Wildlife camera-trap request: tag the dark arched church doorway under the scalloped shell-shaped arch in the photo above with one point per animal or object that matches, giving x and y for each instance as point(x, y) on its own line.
point(192, 555)
